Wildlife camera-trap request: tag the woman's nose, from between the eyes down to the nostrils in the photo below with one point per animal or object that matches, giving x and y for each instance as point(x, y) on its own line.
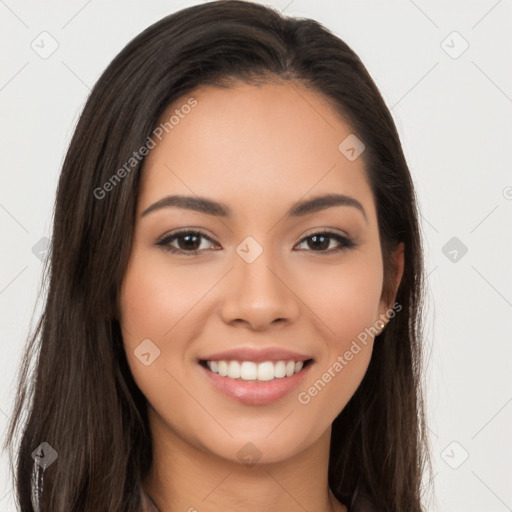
point(259, 294)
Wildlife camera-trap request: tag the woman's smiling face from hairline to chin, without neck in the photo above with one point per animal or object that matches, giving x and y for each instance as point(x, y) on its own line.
point(264, 274)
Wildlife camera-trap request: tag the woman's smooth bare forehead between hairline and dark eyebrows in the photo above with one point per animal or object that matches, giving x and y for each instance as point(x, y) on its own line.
point(270, 143)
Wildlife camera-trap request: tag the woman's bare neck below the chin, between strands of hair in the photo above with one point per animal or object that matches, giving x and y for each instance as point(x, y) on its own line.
point(185, 478)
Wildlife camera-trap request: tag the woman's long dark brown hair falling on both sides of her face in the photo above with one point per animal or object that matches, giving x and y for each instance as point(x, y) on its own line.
point(75, 390)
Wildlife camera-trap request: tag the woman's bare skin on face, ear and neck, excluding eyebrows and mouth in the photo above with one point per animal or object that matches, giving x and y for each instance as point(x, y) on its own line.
point(258, 150)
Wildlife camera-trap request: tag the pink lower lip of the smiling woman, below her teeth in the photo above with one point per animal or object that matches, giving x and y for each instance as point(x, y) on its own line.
point(256, 393)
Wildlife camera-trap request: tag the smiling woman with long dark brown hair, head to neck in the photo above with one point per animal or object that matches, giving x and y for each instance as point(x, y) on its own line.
point(233, 317)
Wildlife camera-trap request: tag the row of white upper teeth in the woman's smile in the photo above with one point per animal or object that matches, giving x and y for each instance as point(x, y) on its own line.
point(248, 370)
